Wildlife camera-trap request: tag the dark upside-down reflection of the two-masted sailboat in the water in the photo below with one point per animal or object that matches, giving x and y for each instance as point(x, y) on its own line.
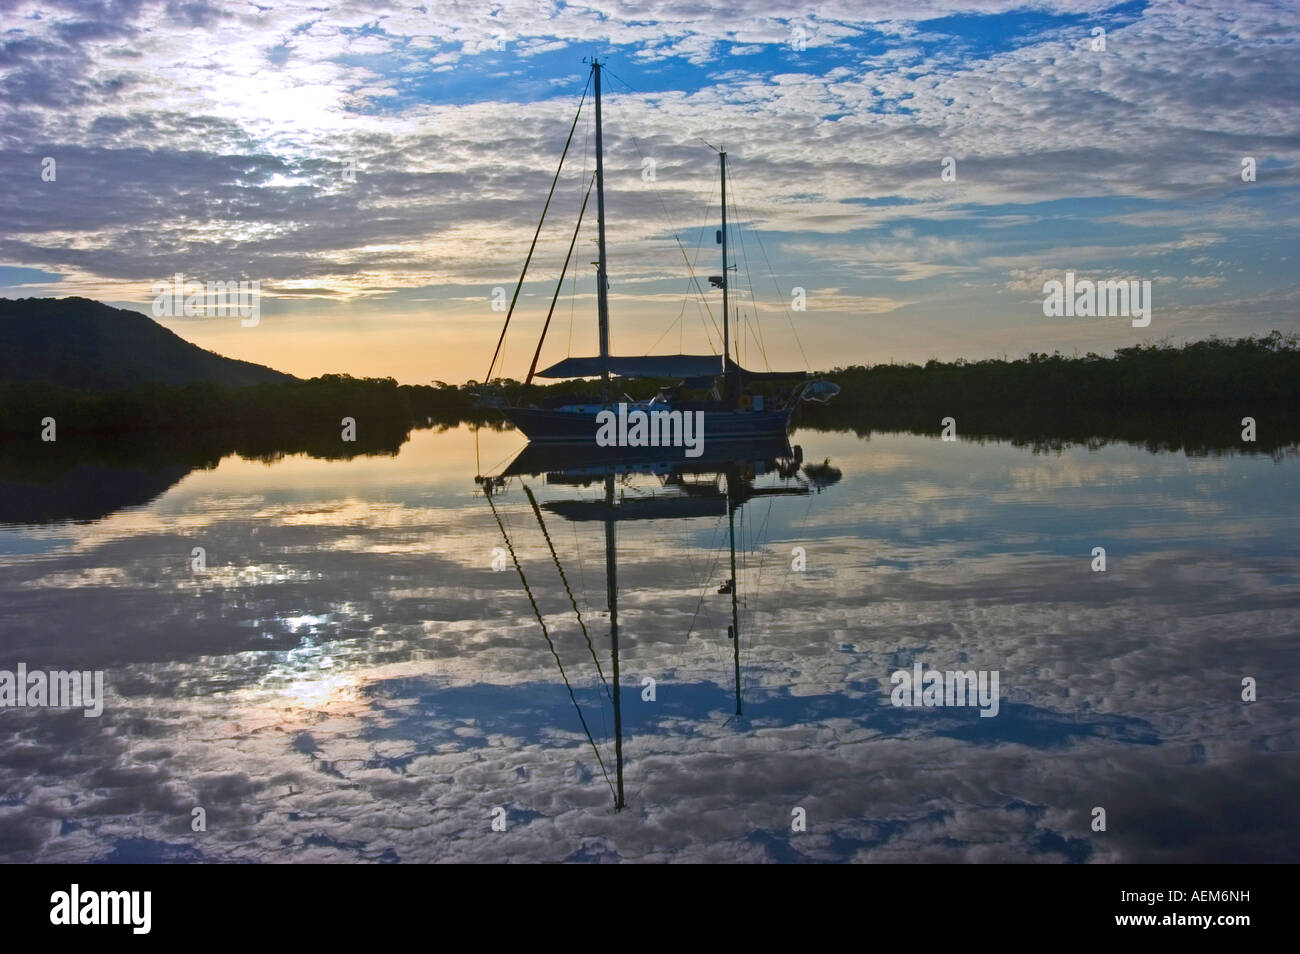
point(717, 484)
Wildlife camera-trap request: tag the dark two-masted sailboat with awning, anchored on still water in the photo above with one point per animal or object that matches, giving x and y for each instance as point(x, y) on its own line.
point(726, 413)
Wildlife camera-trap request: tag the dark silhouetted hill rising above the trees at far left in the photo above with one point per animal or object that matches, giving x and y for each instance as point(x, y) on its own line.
point(85, 345)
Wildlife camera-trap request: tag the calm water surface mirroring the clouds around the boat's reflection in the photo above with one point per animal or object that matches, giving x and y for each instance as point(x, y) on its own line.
point(350, 679)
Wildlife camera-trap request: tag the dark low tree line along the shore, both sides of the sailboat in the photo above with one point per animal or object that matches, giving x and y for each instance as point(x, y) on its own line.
point(1163, 397)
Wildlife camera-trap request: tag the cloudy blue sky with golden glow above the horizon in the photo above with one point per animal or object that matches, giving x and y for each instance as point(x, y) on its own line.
point(211, 140)
